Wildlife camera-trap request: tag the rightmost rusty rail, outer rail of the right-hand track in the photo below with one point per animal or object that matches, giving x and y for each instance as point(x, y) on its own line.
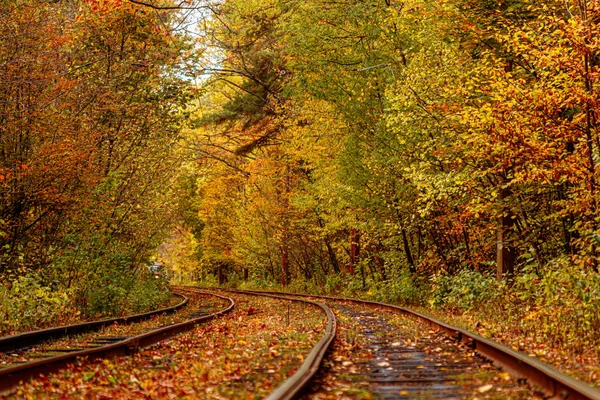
point(541, 375)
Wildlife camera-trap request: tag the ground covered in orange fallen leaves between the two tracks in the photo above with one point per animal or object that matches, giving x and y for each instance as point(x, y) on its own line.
point(244, 354)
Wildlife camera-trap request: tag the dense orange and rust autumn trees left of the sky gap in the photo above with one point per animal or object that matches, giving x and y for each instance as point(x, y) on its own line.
point(92, 107)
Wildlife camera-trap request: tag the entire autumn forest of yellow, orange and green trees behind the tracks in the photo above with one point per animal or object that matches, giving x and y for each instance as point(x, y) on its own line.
point(427, 153)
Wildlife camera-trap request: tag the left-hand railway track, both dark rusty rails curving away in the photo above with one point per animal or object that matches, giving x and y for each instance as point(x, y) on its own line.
point(49, 360)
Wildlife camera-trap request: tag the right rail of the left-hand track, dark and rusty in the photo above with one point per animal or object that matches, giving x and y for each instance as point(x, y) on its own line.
point(11, 376)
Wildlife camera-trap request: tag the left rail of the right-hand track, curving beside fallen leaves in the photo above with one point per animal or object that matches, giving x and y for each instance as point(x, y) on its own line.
point(296, 383)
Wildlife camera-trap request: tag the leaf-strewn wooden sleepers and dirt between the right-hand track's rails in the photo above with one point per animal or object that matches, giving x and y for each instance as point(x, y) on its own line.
point(380, 354)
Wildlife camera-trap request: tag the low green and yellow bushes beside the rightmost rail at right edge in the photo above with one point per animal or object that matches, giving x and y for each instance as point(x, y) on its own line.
point(556, 305)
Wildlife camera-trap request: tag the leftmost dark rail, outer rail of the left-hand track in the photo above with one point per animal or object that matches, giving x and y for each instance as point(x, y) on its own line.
point(32, 338)
